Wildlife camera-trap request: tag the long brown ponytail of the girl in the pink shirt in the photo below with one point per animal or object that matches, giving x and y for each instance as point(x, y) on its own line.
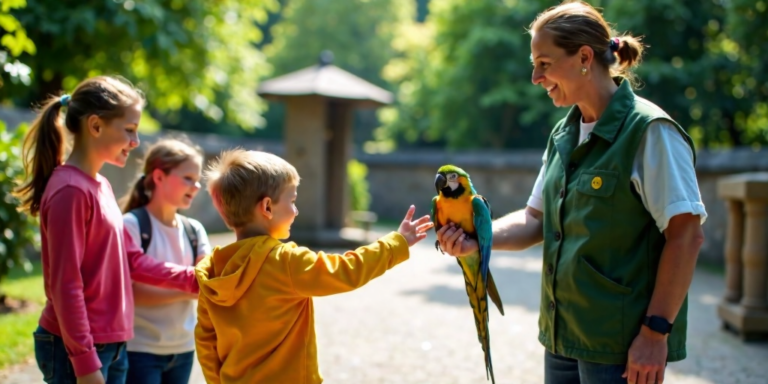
point(43, 151)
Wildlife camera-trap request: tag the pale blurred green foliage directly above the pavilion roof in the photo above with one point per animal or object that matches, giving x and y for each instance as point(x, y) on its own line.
point(358, 32)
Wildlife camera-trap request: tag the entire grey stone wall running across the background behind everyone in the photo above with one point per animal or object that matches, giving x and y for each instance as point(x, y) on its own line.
point(404, 178)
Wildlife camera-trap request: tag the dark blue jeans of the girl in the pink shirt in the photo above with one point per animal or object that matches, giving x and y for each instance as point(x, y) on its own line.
point(53, 361)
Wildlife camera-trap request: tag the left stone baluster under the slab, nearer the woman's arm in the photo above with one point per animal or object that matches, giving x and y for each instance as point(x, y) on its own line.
point(733, 247)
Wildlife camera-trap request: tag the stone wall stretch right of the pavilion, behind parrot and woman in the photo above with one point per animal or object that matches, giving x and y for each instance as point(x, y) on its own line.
point(506, 179)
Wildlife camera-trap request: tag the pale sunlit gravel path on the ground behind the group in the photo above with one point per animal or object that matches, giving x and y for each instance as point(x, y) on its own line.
point(414, 325)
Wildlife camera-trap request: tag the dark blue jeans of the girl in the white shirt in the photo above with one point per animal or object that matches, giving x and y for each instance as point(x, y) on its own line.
point(148, 368)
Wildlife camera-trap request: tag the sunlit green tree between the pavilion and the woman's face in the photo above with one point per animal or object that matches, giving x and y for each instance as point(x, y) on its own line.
point(464, 78)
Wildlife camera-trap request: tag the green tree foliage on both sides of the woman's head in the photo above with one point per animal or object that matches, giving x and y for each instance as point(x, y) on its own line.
point(463, 76)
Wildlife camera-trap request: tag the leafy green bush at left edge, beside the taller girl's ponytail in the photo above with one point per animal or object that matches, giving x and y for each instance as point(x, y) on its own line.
point(20, 231)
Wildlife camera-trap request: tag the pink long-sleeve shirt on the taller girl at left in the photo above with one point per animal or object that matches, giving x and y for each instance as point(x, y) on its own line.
point(88, 265)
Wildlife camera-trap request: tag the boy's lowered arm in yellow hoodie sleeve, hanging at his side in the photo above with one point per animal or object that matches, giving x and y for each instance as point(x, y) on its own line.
point(205, 343)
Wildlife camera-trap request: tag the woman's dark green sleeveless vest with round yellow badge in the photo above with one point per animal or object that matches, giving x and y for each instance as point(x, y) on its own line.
point(601, 246)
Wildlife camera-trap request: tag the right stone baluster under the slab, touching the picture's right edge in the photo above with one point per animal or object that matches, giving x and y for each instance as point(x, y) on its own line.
point(755, 253)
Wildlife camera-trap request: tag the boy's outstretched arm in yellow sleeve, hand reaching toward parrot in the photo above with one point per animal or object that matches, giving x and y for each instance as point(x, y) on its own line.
point(321, 274)
